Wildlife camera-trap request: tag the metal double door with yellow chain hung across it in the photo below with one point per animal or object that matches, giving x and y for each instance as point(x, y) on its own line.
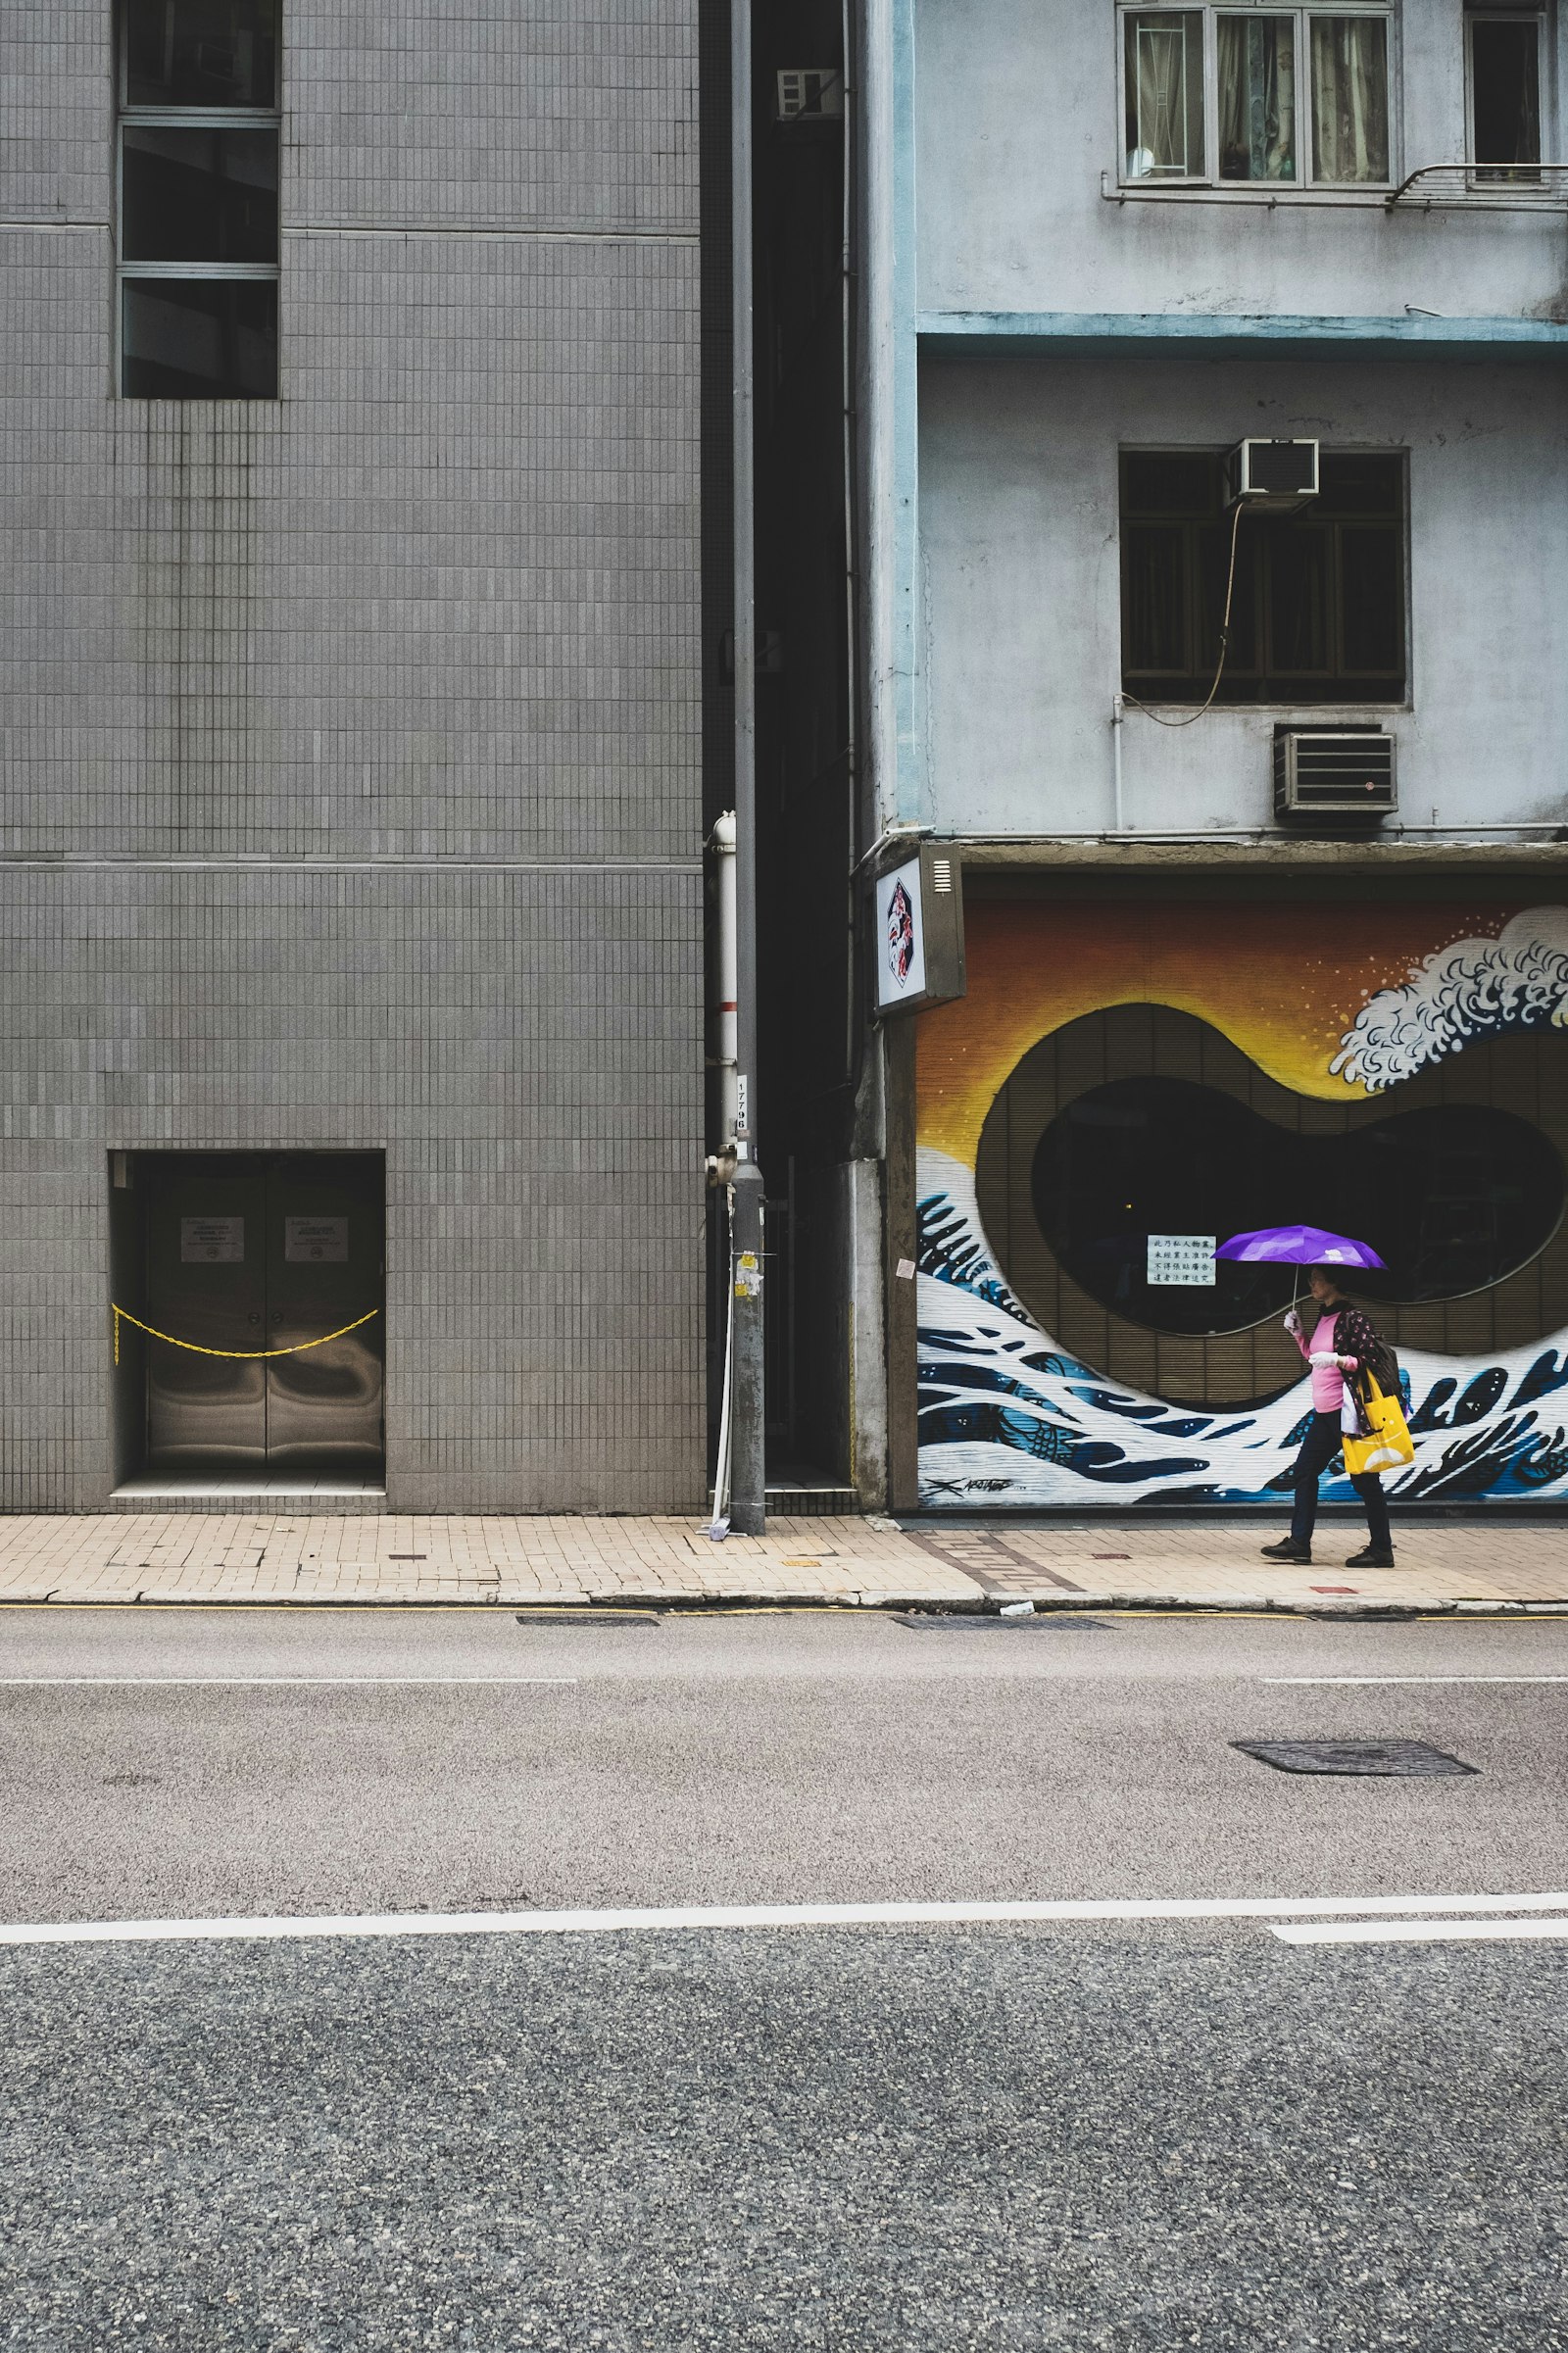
point(255, 1253)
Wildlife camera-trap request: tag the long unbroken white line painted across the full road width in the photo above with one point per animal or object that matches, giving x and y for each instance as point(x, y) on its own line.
point(715, 1917)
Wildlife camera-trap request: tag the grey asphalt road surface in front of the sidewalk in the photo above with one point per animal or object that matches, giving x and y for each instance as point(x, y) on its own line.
point(964, 2138)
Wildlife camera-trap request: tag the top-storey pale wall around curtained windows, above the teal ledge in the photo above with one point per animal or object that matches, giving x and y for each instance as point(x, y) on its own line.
point(1018, 121)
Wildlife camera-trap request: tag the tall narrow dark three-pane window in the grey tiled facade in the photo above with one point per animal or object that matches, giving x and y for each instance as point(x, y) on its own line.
point(199, 199)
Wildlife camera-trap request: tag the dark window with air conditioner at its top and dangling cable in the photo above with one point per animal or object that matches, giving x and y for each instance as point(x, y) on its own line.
point(1320, 608)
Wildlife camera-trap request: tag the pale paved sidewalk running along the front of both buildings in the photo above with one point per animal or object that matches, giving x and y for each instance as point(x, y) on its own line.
point(244, 1557)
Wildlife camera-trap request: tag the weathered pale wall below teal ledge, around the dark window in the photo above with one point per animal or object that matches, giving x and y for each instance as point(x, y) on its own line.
point(1023, 589)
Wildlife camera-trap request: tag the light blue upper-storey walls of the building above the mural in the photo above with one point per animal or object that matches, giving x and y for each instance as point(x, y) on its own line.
point(1044, 314)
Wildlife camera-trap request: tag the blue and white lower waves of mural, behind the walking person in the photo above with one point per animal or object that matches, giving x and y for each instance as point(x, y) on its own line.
point(1009, 1418)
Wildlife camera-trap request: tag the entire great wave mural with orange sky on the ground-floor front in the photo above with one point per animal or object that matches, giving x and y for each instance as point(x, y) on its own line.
point(1338, 1004)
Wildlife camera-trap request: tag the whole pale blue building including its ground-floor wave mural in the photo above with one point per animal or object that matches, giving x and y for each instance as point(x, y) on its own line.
point(1032, 314)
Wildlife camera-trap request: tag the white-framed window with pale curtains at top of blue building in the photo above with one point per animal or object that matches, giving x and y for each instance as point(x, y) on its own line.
point(1296, 98)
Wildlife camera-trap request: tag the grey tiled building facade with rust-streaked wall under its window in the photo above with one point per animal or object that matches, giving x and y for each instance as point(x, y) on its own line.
point(352, 740)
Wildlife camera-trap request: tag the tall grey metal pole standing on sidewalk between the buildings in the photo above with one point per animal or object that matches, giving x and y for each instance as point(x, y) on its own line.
point(748, 1399)
